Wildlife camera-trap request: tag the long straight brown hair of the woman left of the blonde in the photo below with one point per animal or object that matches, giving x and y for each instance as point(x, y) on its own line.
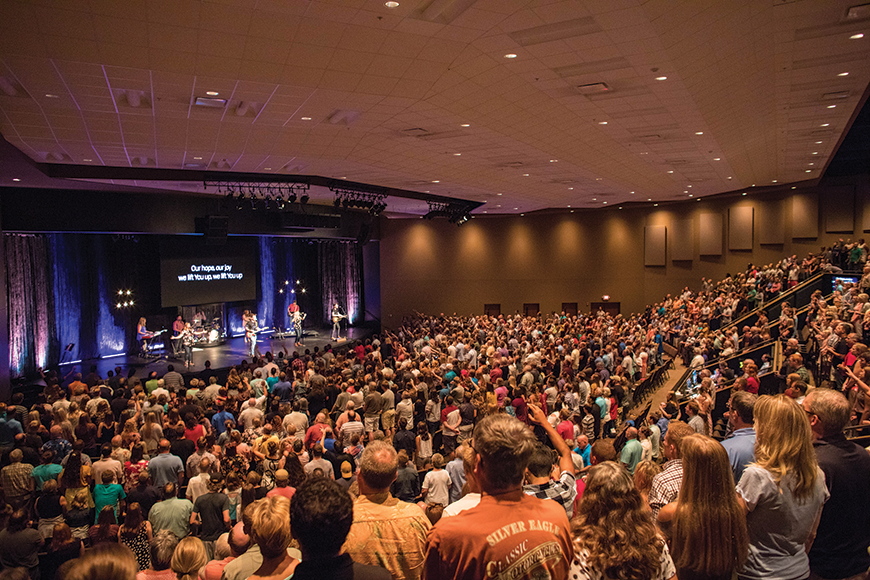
point(709, 534)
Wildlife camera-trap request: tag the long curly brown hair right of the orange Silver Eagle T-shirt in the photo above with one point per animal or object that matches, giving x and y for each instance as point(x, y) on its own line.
point(613, 527)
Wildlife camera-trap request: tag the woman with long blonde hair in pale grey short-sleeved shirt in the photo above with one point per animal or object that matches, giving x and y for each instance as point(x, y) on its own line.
point(783, 492)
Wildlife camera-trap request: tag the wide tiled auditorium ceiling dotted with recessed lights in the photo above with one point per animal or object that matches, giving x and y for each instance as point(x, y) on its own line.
point(520, 105)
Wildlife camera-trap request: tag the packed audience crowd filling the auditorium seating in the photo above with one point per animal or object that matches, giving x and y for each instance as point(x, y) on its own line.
point(461, 447)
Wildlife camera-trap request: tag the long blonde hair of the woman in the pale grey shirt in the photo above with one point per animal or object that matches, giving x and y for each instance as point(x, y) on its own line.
point(784, 443)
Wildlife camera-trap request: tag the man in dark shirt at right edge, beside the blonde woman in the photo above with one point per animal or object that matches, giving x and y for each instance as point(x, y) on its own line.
point(843, 535)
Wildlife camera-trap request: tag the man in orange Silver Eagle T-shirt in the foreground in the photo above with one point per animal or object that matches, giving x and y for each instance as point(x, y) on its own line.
point(470, 543)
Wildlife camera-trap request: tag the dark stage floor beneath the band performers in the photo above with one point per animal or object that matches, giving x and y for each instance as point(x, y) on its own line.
point(221, 357)
